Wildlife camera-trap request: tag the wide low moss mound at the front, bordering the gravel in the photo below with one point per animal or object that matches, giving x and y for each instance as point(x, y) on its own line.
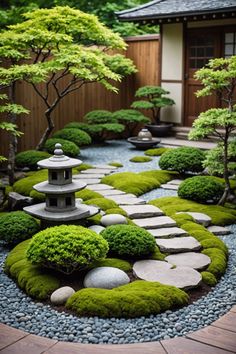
point(140, 298)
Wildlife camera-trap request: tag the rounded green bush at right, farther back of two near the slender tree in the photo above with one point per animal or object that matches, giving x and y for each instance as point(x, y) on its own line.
point(182, 160)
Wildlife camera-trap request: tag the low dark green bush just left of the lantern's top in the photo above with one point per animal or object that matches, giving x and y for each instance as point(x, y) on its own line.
point(30, 158)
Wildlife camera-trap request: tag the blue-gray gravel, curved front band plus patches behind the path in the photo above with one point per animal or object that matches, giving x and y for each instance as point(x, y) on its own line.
point(19, 311)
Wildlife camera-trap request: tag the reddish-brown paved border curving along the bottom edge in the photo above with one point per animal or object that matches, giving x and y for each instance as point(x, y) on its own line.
point(218, 338)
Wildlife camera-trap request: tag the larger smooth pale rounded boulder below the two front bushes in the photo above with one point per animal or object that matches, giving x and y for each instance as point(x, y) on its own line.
point(105, 278)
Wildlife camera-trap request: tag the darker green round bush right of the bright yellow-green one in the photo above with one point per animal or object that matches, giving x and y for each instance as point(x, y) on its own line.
point(129, 240)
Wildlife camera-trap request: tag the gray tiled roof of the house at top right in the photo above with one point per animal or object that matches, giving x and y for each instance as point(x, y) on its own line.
point(162, 9)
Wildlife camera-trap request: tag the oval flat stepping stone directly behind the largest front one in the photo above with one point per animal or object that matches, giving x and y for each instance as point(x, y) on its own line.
point(189, 259)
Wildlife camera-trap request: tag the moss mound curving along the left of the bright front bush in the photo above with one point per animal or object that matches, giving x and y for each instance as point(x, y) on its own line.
point(32, 279)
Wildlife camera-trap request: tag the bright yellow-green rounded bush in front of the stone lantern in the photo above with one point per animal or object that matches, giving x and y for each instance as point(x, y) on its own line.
point(66, 248)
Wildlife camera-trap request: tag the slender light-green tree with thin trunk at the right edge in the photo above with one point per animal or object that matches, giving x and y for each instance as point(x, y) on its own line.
point(218, 76)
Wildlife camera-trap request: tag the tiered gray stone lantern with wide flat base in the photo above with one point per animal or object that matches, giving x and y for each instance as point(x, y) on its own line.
point(61, 205)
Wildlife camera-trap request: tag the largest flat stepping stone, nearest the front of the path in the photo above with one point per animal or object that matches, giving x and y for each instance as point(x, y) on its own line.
point(181, 277)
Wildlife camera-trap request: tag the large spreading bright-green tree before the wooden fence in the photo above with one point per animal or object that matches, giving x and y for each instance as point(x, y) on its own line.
point(62, 43)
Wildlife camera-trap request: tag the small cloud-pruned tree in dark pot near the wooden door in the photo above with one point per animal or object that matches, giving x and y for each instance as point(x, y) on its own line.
point(155, 99)
